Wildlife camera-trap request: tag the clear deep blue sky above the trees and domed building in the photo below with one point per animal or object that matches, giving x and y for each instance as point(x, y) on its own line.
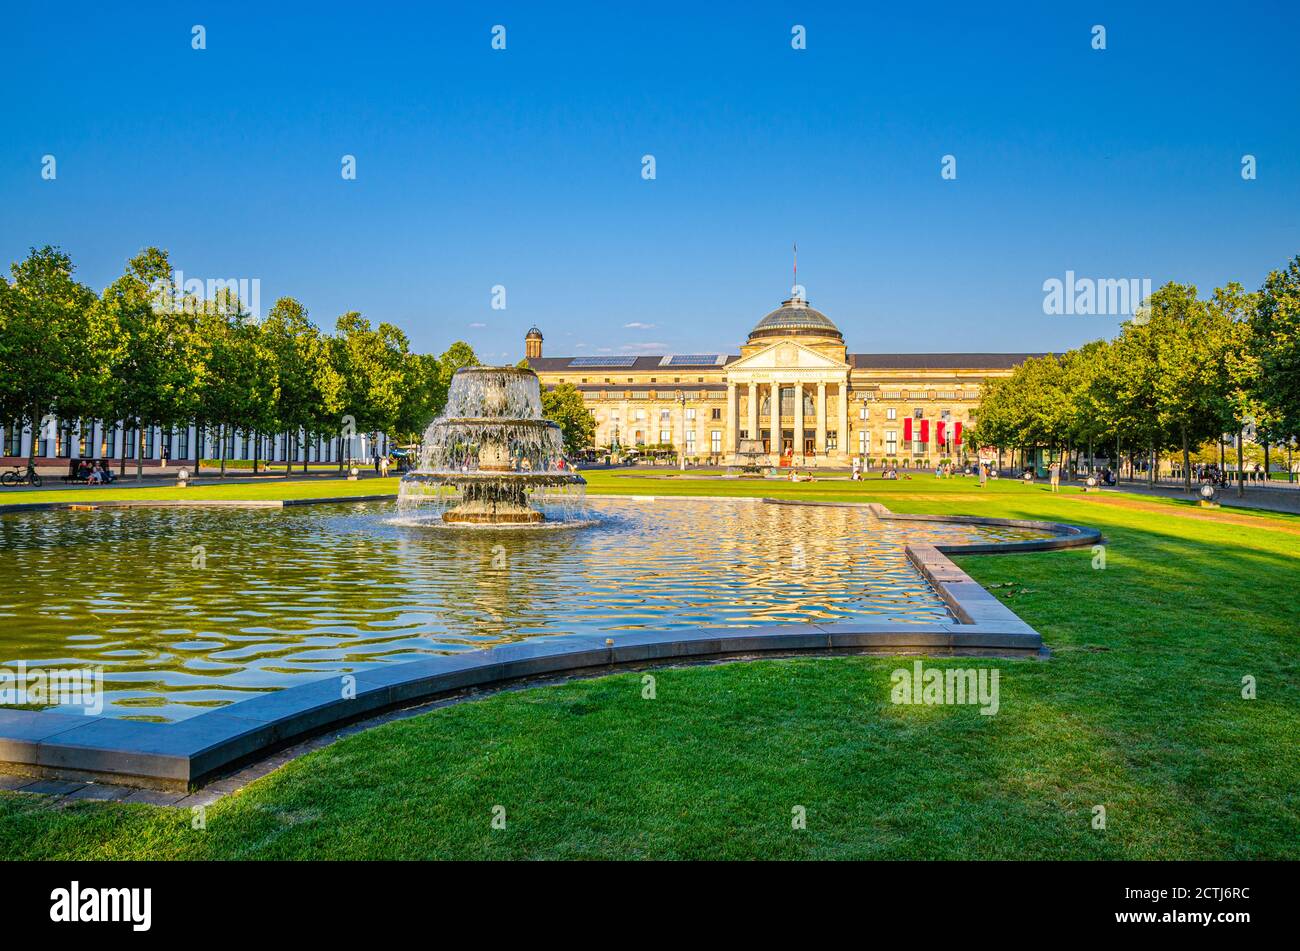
point(523, 167)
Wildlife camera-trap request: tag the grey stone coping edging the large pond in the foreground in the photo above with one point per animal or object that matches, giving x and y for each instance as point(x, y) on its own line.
point(187, 754)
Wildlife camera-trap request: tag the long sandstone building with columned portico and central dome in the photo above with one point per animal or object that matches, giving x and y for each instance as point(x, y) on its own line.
point(830, 406)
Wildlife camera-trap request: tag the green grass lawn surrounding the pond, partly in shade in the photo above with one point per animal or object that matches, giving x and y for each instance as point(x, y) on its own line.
point(1139, 710)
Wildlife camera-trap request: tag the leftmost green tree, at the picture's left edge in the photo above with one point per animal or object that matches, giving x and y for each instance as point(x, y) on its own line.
point(57, 345)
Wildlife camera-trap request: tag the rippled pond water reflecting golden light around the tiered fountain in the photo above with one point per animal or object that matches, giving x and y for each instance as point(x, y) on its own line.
point(288, 596)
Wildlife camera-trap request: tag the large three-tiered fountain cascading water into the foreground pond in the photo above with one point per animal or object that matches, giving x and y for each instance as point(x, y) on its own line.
point(492, 459)
